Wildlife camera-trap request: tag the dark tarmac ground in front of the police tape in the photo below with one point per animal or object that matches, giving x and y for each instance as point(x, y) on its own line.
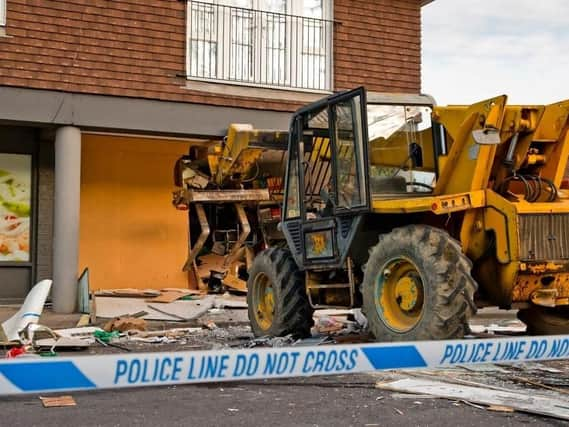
point(325, 401)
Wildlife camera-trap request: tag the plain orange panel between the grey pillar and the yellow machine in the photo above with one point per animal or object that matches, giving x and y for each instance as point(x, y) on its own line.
point(130, 235)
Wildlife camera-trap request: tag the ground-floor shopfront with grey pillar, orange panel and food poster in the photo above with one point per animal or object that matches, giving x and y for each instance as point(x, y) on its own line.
point(87, 183)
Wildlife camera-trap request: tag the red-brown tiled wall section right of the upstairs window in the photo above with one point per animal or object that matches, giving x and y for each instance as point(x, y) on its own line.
point(377, 44)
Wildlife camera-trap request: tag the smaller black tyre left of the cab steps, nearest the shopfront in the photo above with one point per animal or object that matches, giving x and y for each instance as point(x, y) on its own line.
point(291, 313)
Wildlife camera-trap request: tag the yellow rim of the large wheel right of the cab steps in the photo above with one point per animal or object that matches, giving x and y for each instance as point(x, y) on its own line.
point(400, 294)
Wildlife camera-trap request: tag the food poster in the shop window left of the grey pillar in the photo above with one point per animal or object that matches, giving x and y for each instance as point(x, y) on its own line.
point(15, 206)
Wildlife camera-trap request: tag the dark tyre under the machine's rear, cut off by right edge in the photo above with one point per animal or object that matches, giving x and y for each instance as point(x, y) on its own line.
point(545, 320)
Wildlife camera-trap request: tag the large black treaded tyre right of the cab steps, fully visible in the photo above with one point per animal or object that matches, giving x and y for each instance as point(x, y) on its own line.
point(443, 273)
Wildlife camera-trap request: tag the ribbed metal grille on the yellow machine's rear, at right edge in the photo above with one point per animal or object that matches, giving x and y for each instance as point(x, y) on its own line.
point(544, 237)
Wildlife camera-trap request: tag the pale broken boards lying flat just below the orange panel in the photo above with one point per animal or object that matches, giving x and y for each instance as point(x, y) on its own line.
point(109, 307)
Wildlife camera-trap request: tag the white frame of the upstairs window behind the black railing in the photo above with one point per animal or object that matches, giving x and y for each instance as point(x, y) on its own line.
point(294, 67)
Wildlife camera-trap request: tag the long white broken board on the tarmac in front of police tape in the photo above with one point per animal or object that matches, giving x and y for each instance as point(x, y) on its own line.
point(519, 400)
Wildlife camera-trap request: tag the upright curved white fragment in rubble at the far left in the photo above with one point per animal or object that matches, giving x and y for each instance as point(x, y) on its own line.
point(30, 312)
